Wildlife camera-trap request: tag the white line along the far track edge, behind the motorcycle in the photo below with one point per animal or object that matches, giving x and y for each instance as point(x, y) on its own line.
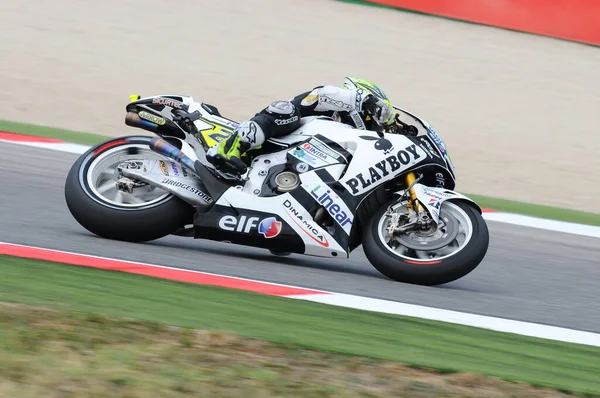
point(506, 218)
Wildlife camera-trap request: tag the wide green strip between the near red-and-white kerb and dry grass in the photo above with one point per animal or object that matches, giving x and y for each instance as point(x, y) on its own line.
point(421, 343)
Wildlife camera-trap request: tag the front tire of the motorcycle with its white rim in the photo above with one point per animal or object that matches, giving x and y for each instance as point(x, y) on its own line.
point(436, 267)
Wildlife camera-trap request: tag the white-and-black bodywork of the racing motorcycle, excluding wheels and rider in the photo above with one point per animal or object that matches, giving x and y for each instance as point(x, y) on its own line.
point(310, 192)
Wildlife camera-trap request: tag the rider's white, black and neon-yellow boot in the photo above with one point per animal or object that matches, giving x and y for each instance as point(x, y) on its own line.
point(227, 155)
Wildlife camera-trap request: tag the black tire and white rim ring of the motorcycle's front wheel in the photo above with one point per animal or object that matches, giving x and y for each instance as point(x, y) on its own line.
point(434, 271)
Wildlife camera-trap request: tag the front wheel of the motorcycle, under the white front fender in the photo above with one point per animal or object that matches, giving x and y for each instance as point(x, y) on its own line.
point(443, 255)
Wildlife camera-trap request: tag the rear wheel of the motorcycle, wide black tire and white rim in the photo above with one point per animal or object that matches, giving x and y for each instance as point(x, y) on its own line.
point(94, 201)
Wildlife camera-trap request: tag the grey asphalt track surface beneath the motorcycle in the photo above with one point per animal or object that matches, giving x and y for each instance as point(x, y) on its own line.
point(528, 275)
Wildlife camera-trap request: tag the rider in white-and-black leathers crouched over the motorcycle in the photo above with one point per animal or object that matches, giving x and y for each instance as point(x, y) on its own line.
point(358, 102)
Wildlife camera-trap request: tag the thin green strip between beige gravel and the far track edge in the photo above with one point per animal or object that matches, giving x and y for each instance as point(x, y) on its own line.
point(553, 213)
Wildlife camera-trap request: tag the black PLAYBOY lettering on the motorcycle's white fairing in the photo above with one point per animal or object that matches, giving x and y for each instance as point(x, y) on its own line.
point(385, 169)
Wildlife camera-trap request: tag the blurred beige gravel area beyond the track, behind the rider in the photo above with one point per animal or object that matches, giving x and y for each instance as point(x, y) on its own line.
point(519, 112)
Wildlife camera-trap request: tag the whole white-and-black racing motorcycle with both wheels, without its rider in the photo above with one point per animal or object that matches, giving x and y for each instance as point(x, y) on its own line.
point(323, 190)
